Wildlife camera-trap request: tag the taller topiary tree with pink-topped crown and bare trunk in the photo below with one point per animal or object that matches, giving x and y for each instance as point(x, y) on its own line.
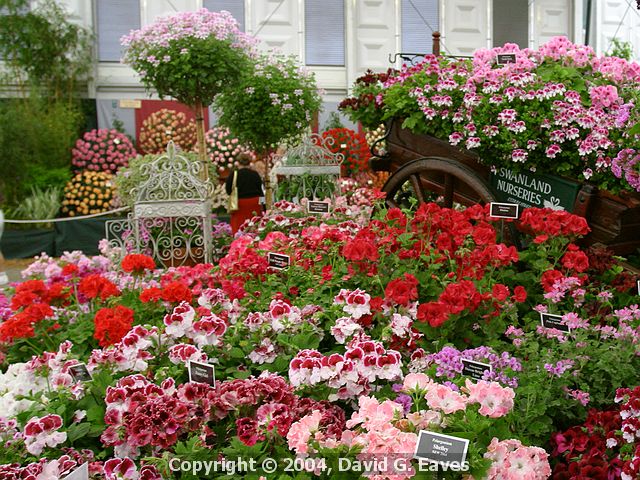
point(191, 56)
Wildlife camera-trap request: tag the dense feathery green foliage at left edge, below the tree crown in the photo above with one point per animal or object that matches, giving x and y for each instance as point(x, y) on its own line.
point(37, 136)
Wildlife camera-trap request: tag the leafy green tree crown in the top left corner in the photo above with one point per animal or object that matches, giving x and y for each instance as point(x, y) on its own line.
point(43, 47)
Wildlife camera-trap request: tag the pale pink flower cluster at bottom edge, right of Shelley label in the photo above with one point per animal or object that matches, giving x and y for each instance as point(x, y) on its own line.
point(513, 461)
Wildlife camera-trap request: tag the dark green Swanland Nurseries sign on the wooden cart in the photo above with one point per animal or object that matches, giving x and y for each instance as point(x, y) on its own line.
point(533, 190)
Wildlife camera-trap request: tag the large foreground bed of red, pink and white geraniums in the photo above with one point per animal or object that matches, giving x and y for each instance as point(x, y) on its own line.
point(381, 337)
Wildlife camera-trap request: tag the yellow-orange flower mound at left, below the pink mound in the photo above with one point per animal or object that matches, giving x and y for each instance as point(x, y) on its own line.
point(88, 192)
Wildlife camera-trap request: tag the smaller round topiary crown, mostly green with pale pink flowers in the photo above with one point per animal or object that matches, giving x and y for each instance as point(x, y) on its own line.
point(277, 94)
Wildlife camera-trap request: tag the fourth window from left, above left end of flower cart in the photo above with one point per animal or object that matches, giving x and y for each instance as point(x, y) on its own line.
point(420, 18)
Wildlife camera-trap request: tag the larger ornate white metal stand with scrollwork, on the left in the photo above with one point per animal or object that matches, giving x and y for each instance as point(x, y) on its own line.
point(171, 218)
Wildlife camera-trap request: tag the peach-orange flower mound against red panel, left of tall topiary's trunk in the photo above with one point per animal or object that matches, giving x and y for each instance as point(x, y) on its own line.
point(164, 125)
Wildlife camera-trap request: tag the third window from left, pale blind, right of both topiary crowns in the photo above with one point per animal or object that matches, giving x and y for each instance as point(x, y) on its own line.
point(324, 32)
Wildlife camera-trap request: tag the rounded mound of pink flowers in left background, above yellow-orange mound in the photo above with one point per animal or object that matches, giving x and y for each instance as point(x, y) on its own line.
point(102, 150)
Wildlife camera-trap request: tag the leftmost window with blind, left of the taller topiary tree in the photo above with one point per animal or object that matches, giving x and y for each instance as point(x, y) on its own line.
point(115, 19)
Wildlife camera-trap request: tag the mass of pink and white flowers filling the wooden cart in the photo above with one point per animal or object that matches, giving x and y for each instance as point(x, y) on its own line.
point(559, 109)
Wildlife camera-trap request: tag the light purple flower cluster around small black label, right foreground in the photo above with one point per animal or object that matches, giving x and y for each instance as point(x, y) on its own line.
point(448, 362)
